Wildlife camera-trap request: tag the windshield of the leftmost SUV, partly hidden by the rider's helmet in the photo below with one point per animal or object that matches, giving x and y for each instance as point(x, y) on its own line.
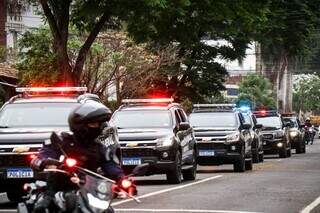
point(36, 115)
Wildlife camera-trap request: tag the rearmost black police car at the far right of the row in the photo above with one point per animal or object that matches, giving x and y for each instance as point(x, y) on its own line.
point(296, 133)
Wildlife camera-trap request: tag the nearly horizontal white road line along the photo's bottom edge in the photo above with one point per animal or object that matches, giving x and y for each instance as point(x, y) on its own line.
point(181, 210)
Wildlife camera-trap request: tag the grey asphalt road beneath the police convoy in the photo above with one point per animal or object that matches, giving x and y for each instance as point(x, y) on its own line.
point(277, 185)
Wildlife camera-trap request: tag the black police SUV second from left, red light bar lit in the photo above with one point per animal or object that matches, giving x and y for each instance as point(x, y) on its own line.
point(156, 131)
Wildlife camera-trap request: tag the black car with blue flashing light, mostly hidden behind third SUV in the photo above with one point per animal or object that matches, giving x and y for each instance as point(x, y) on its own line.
point(255, 132)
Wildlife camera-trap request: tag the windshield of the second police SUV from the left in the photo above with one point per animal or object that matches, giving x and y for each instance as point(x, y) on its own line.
point(142, 119)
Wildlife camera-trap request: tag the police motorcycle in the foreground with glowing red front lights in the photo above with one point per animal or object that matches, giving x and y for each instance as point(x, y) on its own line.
point(94, 193)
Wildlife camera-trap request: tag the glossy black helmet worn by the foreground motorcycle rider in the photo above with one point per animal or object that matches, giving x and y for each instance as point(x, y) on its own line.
point(87, 120)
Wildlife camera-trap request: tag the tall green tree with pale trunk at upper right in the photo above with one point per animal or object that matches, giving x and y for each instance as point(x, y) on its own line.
point(285, 37)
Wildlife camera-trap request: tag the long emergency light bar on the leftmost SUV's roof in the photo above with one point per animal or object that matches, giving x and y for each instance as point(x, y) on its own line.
point(51, 89)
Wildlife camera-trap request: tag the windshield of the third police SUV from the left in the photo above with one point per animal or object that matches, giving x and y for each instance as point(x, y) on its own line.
point(213, 119)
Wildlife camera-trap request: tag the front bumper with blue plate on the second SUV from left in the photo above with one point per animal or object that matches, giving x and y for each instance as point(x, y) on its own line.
point(161, 160)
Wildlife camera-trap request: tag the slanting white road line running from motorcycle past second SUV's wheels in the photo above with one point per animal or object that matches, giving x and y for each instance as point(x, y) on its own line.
point(168, 190)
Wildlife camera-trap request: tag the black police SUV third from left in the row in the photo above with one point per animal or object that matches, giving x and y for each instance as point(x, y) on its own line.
point(223, 136)
